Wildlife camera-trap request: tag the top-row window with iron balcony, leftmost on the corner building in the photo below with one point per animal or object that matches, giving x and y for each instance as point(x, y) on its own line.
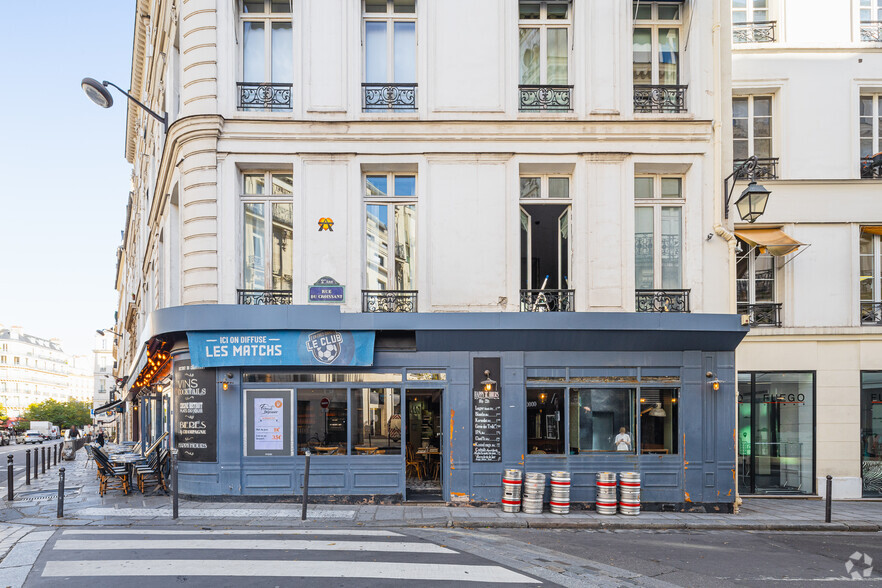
point(267, 54)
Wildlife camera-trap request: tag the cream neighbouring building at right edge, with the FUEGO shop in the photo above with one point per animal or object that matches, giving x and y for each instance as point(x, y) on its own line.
point(821, 74)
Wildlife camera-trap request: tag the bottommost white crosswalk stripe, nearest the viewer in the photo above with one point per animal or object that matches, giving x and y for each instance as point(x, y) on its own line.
point(289, 569)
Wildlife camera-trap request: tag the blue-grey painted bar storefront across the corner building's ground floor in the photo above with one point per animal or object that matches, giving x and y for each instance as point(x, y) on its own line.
point(560, 378)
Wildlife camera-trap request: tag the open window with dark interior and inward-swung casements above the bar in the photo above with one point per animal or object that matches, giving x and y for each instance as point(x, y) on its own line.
point(546, 246)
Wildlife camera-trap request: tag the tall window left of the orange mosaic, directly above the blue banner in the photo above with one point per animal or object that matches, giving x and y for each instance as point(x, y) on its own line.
point(268, 245)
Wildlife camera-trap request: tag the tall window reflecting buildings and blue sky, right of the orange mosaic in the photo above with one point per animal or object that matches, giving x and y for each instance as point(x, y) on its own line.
point(390, 232)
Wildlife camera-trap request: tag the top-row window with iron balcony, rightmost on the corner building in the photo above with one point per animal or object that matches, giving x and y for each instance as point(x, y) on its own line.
point(656, 56)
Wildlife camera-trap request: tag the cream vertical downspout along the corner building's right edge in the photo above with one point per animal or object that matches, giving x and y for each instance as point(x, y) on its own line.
point(719, 197)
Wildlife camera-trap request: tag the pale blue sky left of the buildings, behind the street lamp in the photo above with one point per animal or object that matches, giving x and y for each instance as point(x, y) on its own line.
point(65, 179)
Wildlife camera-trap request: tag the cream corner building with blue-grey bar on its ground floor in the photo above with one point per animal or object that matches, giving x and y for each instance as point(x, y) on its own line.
point(428, 241)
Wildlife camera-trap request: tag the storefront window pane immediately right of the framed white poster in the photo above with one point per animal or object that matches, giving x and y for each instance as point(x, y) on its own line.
point(321, 422)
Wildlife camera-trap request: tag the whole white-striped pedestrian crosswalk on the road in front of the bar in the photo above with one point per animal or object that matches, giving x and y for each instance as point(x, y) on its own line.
point(89, 557)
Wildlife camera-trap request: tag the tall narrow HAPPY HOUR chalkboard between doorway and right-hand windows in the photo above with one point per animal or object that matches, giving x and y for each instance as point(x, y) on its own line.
point(486, 414)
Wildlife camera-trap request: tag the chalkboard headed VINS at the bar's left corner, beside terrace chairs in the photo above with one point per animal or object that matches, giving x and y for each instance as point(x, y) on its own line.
point(195, 413)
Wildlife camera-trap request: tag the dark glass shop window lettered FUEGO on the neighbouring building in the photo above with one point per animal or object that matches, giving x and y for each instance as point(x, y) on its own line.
point(776, 424)
